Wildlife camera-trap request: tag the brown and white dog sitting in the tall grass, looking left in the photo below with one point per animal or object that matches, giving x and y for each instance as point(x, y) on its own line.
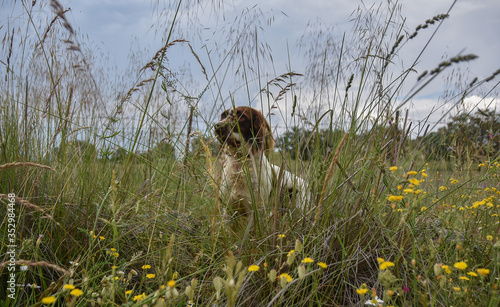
point(248, 179)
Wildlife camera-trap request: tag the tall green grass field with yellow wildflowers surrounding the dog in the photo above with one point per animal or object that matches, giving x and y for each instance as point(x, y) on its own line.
point(98, 211)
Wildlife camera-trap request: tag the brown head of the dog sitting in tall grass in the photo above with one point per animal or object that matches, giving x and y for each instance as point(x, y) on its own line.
point(244, 127)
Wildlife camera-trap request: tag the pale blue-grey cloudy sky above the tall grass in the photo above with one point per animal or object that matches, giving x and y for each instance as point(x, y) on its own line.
point(140, 27)
